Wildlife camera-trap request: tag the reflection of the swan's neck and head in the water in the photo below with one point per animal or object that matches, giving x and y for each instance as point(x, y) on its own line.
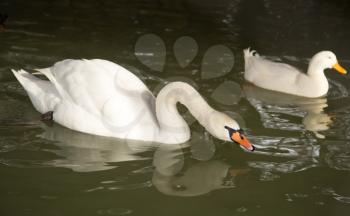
point(176, 175)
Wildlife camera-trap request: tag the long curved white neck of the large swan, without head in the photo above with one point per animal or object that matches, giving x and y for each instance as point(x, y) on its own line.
point(173, 128)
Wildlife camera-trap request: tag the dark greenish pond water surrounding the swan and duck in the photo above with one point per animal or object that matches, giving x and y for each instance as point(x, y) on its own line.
point(302, 162)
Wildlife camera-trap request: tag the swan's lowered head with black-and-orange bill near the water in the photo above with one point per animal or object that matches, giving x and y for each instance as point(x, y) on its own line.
point(226, 128)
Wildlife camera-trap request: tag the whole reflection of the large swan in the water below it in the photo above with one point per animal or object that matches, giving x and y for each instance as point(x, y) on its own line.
point(87, 153)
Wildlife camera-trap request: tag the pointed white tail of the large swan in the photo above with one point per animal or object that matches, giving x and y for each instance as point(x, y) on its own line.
point(42, 93)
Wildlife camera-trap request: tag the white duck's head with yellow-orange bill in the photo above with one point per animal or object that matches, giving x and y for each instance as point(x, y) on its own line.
point(327, 59)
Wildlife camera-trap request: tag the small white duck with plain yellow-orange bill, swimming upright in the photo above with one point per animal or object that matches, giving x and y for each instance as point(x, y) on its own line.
point(287, 79)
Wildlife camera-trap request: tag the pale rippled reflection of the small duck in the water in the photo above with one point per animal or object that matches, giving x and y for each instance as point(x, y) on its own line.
point(273, 105)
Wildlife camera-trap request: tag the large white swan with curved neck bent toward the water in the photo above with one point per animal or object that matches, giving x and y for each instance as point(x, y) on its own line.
point(102, 98)
